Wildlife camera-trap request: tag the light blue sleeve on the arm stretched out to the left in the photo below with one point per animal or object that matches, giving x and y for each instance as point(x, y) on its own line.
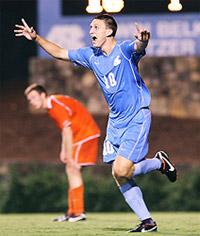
point(81, 56)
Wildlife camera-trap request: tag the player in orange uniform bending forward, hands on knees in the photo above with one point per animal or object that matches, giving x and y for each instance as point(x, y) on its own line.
point(79, 142)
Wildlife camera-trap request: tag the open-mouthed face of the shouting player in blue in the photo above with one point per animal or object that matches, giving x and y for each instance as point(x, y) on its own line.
point(99, 32)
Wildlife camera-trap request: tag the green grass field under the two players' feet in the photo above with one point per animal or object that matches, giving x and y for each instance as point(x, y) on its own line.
point(171, 223)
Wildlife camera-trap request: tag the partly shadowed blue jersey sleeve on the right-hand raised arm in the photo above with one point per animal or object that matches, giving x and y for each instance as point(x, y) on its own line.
point(128, 50)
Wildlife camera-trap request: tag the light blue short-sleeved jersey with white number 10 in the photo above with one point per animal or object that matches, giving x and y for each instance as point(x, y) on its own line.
point(117, 74)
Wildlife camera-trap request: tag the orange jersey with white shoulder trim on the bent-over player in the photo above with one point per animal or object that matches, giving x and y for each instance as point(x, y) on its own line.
point(67, 111)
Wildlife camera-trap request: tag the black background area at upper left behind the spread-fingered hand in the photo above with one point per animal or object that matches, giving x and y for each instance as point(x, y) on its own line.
point(15, 52)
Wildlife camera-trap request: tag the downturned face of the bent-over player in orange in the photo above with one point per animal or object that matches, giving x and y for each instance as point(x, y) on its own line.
point(36, 99)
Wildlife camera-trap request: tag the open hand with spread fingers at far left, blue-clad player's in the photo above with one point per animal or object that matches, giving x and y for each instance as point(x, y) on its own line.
point(25, 30)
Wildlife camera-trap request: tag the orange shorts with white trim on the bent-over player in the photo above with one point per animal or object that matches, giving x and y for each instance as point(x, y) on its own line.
point(86, 153)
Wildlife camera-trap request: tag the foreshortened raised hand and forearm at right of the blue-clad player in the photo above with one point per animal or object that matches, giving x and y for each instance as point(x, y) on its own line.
point(142, 38)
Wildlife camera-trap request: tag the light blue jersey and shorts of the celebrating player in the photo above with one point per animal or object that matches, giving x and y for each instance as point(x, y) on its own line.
point(127, 96)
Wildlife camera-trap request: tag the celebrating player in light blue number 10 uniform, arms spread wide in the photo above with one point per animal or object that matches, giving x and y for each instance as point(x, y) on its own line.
point(115, 65)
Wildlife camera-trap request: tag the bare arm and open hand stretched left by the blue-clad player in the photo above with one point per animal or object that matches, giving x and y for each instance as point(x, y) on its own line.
point(51, 48)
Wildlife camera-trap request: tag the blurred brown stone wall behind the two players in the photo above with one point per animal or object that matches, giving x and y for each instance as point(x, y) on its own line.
point(174, 84)
